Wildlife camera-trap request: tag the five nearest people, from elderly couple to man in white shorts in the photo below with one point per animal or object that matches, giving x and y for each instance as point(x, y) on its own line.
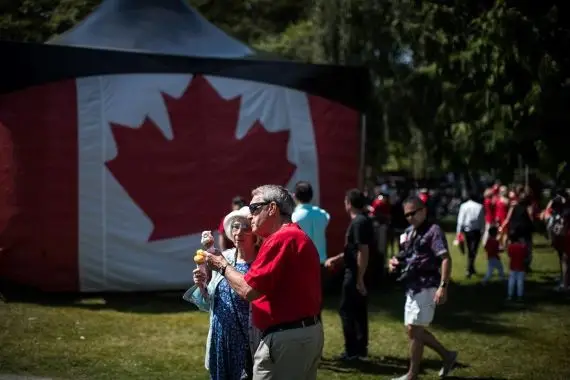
point(264, 290)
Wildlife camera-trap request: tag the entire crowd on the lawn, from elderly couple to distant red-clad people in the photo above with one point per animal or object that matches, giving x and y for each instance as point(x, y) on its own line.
point(263, 290)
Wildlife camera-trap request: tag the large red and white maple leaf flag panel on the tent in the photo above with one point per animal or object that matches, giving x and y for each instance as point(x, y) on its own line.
point(108, 181)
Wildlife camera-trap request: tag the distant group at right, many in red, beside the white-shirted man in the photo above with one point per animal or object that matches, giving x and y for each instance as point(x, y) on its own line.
point(506, 220)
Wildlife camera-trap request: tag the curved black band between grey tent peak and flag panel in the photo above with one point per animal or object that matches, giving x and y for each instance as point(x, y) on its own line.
point(30, 64)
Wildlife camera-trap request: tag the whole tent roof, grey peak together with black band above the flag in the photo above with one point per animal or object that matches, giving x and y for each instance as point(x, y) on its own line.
point(167, 36)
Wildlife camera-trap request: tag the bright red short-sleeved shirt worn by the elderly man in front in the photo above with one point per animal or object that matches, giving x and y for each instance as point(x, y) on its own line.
point(287, 273)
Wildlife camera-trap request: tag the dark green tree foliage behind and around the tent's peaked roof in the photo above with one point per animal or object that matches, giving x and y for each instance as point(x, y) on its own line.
point(456, 84)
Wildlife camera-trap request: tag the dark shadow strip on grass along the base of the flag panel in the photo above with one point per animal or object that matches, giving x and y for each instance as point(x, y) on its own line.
point(140, 302)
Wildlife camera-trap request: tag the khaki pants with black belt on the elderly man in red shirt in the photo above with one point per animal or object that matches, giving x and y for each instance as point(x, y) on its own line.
point(290, 354)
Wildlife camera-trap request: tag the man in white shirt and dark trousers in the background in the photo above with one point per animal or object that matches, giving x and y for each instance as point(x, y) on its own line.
point(471, 222)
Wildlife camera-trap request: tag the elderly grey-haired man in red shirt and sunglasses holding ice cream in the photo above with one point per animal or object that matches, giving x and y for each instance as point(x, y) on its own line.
point(284, 288)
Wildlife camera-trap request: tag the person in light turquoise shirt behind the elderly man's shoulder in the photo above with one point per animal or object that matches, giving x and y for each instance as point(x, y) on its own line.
point(312, 219)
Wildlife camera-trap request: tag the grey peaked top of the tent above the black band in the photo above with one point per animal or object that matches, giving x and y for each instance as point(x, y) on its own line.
point(157, 26)
